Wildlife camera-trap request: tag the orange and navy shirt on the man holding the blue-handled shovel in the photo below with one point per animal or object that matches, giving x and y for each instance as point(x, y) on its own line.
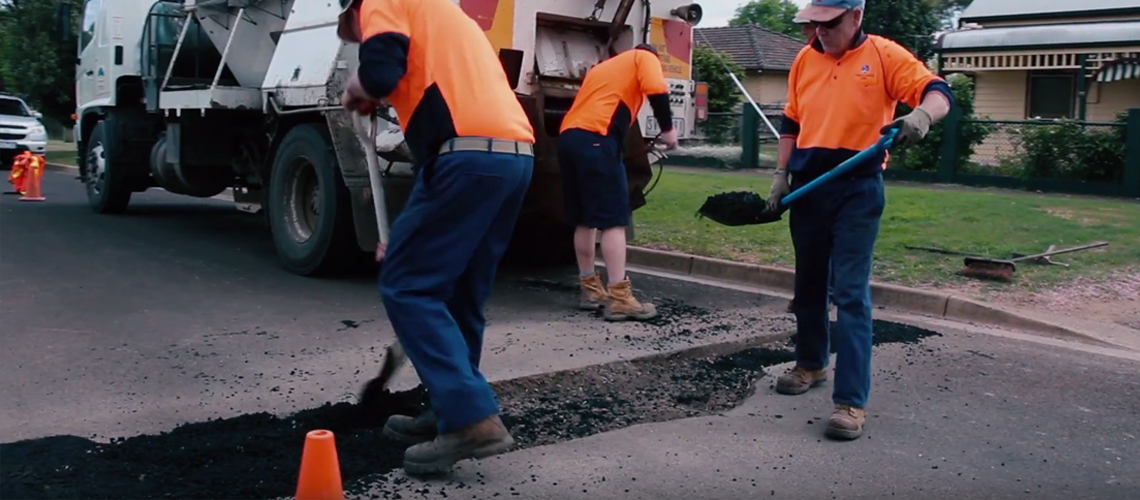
point(837, 108)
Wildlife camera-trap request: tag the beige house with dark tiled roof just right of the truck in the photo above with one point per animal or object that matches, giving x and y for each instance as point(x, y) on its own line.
point(766, 56)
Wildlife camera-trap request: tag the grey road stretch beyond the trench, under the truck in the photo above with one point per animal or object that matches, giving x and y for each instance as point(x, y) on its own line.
point(178, 312)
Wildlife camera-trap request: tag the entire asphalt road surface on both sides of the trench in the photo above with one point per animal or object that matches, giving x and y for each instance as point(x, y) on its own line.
point(177, 315)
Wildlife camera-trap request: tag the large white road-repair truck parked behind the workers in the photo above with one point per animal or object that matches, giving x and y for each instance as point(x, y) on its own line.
point(203, 97)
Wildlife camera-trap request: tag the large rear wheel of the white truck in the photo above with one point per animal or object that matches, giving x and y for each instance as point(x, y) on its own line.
point(311, 214)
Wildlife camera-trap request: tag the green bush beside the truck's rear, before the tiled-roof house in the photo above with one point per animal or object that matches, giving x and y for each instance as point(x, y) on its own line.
point(710, 68)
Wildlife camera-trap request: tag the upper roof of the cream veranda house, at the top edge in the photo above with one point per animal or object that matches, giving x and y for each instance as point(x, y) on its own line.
point(996, 10)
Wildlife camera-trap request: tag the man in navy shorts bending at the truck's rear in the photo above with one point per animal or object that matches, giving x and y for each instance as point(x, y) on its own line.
point(595, 186)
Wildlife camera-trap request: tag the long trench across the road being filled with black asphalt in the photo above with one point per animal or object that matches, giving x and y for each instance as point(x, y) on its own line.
point(257, 456)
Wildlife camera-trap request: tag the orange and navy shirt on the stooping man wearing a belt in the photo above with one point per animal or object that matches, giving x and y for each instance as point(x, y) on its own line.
point(439, 71)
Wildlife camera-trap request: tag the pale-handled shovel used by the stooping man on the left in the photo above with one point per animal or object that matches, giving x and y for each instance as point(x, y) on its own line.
point(394, 355)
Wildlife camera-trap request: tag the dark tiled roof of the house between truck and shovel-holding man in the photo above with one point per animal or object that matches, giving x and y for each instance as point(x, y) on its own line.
point(753, 47)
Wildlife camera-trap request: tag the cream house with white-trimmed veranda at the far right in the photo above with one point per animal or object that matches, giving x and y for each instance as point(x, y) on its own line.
point(1047, 60)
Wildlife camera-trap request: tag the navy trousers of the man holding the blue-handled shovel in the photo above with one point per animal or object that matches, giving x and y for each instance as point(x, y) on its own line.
point(834, 231)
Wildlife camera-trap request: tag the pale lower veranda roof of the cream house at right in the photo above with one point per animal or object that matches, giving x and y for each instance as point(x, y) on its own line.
point(1047, 36)
